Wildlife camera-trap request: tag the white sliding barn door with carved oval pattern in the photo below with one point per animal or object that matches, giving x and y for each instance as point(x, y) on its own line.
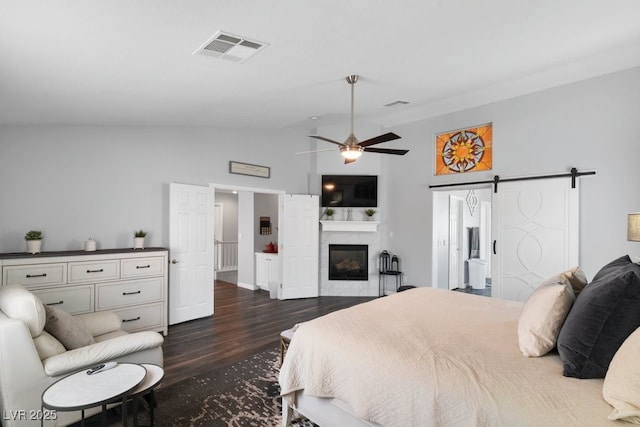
point(535, 226)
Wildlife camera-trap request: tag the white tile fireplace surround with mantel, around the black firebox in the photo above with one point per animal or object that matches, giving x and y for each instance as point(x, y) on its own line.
point(349, 233)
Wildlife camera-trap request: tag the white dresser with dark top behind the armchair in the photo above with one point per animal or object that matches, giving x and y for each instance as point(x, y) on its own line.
point(133, 283)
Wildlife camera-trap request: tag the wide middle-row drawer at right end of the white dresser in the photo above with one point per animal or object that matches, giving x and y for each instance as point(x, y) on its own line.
point(132, 292)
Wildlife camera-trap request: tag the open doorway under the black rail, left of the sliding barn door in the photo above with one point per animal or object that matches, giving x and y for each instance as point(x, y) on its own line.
point(462, 239)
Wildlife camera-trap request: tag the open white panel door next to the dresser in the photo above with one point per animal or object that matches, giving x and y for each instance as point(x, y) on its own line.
point(191, 248)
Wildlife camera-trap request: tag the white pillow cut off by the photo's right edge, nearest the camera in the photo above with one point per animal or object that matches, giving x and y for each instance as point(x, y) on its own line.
point(621, 388)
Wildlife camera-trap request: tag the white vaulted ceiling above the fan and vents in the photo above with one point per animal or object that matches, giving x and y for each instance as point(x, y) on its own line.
point(130, 62)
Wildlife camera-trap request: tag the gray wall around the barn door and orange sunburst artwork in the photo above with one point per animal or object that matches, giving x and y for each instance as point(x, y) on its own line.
point(591, 125)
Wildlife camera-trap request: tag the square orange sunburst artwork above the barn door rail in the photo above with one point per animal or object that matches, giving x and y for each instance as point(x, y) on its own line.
point(466, 150)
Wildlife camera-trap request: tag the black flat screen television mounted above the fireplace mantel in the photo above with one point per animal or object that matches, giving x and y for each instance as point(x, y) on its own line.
point(356, 191)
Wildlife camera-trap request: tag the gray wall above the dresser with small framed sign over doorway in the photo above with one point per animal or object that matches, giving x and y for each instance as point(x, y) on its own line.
point(79, 182)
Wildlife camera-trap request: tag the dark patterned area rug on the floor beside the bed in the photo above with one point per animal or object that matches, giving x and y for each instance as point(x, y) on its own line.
point(245, 393)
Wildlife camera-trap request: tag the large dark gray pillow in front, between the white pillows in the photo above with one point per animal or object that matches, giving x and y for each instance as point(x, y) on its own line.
point(605, 313)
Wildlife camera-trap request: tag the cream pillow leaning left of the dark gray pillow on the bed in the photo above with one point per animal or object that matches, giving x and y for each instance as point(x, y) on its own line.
point(543, 315)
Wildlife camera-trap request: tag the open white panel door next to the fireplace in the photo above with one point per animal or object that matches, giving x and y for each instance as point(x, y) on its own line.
point(299, 245)
